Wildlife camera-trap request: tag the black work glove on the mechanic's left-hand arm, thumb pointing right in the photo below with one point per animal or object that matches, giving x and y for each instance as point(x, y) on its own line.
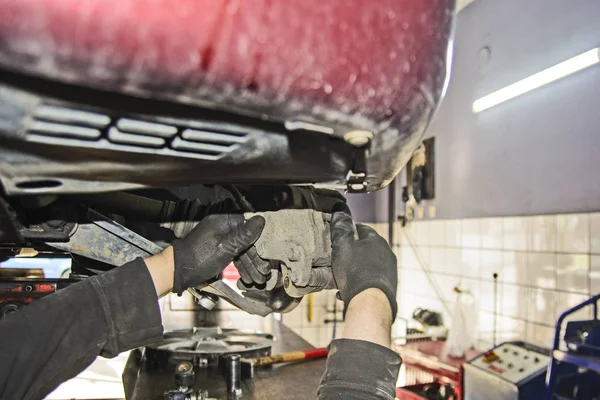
point(211, 246)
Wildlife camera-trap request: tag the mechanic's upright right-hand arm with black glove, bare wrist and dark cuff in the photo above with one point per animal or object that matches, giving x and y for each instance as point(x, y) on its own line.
point(361, 364)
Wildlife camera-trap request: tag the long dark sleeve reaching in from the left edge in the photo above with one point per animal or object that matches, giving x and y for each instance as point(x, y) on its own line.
point(58, 336)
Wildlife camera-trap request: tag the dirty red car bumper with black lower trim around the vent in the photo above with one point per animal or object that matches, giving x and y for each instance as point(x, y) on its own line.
point(310, 67)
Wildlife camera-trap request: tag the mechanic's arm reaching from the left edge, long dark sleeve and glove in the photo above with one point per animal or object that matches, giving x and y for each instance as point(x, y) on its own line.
point(56, 337)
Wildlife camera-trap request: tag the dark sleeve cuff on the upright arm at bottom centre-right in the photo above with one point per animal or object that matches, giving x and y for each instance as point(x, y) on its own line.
point(357, 369)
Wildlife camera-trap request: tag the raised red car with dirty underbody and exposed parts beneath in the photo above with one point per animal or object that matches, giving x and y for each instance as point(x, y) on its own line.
point(122, 123)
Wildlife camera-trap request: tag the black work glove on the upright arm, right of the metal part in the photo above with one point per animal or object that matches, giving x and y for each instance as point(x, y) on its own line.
point(361, 263)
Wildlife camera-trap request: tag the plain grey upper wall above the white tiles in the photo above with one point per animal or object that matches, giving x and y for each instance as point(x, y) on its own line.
point(536, 154)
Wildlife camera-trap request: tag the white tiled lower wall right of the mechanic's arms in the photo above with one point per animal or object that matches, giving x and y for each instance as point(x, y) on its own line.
point(545, 264)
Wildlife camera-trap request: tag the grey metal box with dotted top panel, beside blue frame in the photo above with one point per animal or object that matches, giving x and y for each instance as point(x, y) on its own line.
point(511, 370)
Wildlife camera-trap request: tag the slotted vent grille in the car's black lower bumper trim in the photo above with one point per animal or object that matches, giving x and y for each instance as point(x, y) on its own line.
point(55, 125)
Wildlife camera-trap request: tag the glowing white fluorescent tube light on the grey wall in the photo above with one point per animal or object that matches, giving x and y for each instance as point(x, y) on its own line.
point(565, 68)
